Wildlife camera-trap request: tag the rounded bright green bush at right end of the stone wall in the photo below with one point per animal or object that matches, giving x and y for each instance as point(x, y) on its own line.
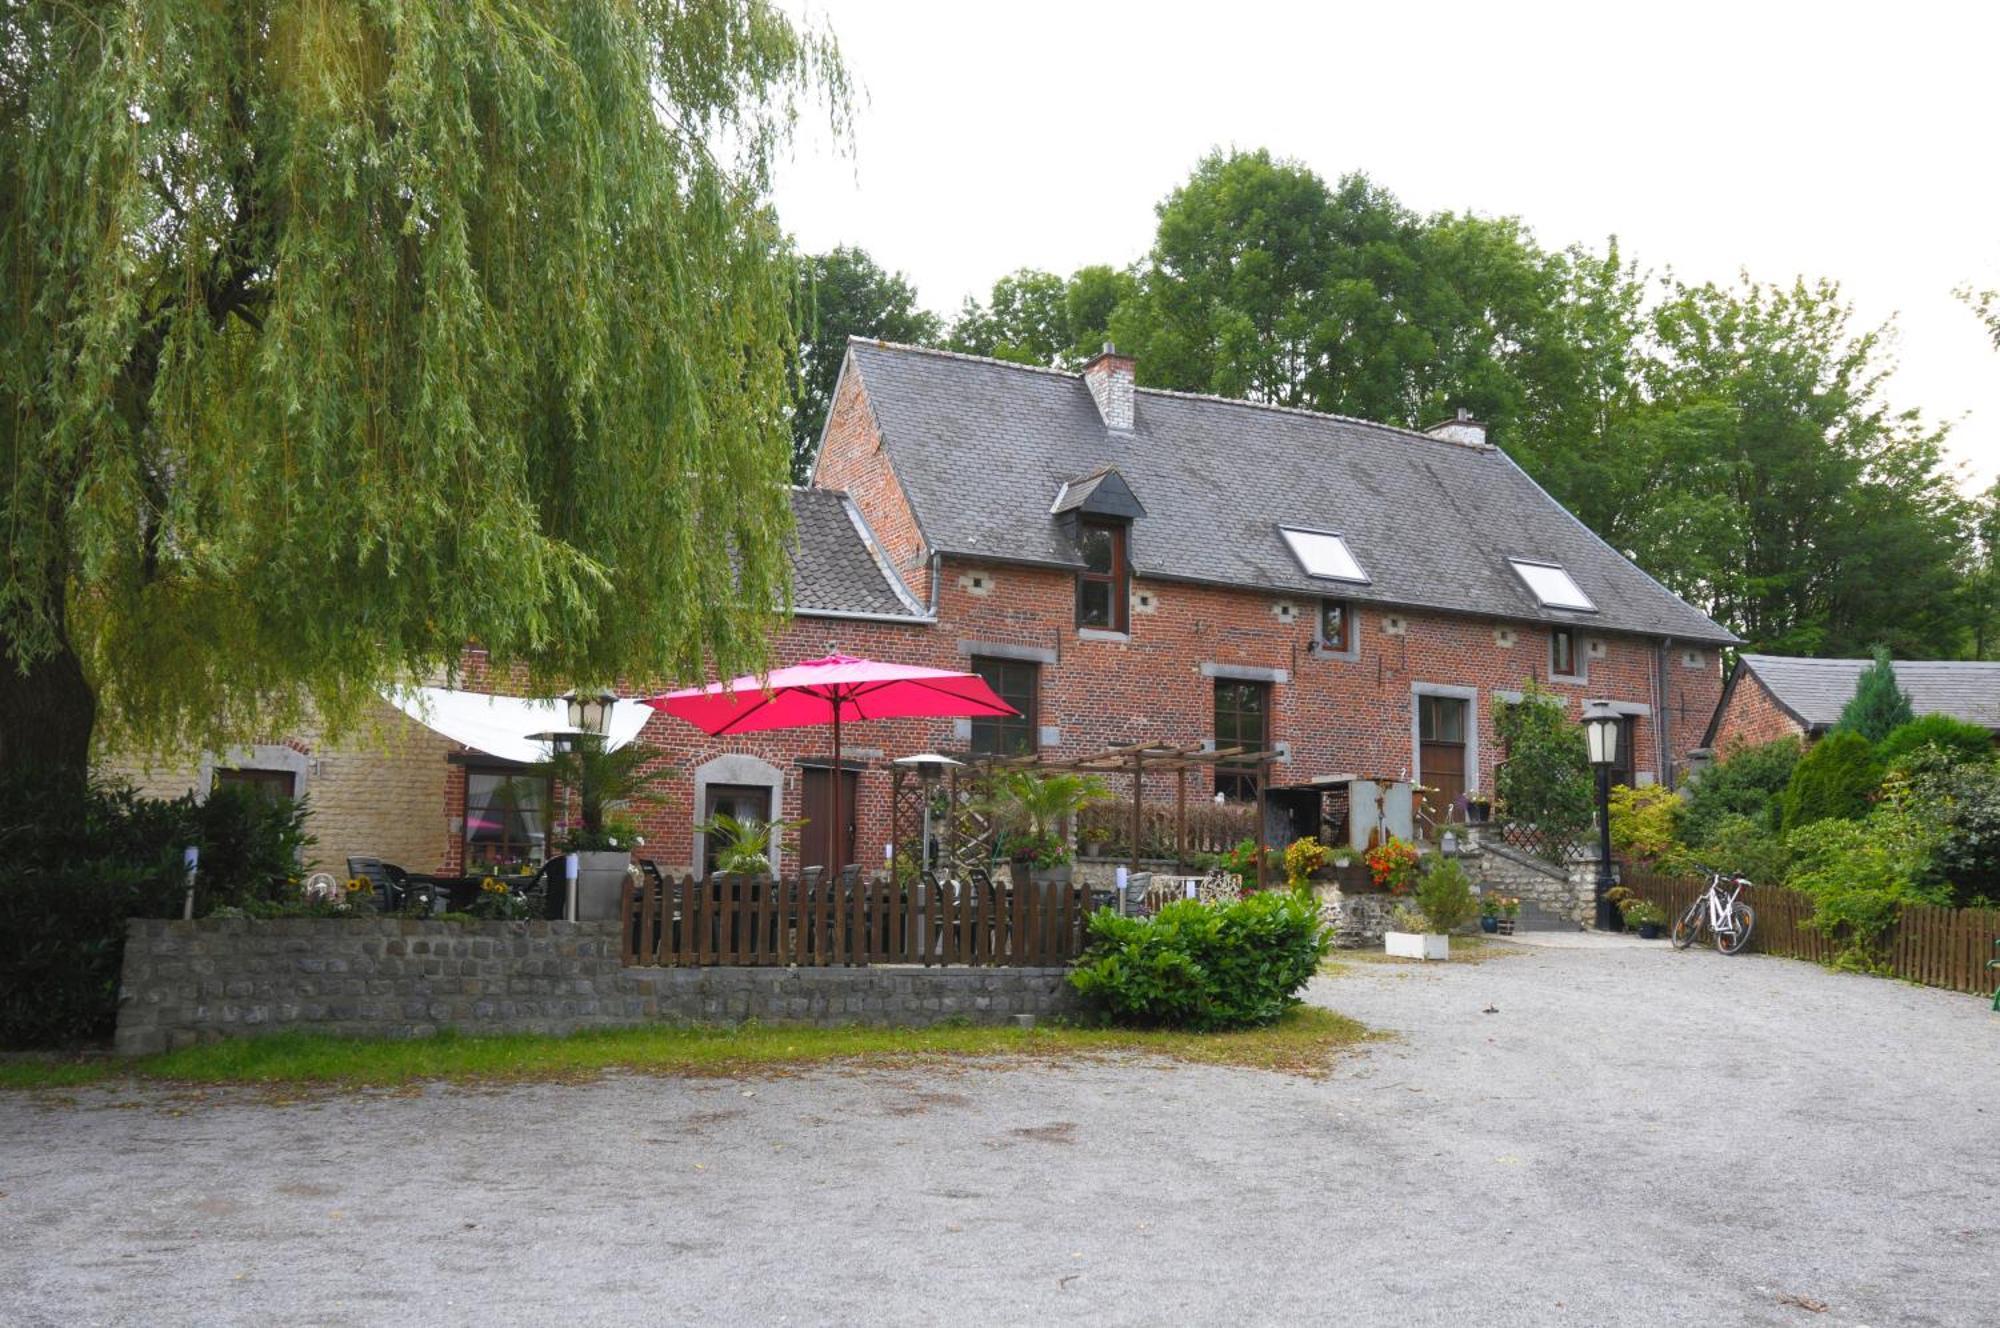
point(1205, 967)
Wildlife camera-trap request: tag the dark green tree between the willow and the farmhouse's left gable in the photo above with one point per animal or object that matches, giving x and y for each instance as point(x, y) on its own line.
point(845, 293)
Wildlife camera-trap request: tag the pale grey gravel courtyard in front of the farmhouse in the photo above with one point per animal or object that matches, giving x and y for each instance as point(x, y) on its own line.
point(1635, 1137)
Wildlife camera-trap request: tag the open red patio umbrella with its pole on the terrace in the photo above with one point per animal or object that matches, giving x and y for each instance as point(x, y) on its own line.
point(833, 691)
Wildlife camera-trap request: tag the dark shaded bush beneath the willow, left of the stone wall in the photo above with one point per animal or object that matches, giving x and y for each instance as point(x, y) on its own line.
point(83, 861)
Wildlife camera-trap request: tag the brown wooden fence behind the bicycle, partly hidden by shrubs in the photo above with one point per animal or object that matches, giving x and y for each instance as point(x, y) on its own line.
point(1937, 947)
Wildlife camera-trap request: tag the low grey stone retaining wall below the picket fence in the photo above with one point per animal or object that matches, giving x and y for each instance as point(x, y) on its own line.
point(233, 977)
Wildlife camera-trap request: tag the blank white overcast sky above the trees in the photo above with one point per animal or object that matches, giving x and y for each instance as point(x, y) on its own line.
point(1789, 141)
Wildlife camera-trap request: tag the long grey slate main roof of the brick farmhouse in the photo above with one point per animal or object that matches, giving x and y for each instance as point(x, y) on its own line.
point(981, 447)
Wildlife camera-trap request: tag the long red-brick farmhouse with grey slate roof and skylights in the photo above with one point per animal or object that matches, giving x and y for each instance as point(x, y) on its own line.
point(1123, 565)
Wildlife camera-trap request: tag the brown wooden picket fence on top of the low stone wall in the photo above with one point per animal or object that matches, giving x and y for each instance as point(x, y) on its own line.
point(755, 921)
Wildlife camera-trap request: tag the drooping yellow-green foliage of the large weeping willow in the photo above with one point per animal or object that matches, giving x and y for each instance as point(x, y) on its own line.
point(345, 333)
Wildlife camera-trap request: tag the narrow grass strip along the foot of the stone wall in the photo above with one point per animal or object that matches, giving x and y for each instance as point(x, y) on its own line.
point(1301, 1043)
